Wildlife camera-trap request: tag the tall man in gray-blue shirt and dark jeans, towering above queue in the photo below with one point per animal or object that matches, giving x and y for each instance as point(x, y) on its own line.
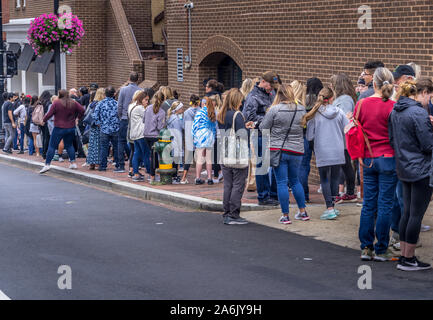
point(125, 98)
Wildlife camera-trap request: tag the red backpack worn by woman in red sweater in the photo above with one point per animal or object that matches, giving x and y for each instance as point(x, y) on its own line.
point(356, 139)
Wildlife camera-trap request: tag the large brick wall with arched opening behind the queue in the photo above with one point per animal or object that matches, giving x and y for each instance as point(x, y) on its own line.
point(298, 39)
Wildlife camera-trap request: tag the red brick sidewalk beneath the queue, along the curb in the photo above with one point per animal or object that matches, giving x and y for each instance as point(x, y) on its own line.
point(214, 192)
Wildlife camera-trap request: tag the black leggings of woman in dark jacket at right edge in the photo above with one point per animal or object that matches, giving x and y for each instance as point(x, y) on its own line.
point(416, 198)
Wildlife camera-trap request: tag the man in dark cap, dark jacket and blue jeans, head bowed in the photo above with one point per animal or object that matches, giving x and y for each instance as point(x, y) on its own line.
point(255, 106)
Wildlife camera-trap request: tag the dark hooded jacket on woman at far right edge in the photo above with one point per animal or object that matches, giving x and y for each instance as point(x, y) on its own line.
point(411, 136)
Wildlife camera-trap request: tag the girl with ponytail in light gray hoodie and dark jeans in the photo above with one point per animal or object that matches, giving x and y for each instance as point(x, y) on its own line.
point(325, 123)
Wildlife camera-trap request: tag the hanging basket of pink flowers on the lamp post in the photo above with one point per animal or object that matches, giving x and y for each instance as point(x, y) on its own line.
point(45, 31)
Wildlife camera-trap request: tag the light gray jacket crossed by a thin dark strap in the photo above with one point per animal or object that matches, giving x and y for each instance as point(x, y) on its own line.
point(278, 119)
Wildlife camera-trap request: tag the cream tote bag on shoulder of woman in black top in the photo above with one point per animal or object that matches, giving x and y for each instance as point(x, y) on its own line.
point(235, 149)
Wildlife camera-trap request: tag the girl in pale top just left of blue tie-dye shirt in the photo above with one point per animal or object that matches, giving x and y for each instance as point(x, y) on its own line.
point(188, 118)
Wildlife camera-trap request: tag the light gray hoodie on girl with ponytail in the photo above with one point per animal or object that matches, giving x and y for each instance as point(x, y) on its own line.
point(327, 131)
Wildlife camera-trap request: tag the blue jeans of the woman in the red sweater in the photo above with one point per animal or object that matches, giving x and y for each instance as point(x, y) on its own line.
point(379, 189)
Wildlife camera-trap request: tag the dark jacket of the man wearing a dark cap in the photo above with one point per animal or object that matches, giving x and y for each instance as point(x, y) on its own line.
point(256, 104)
